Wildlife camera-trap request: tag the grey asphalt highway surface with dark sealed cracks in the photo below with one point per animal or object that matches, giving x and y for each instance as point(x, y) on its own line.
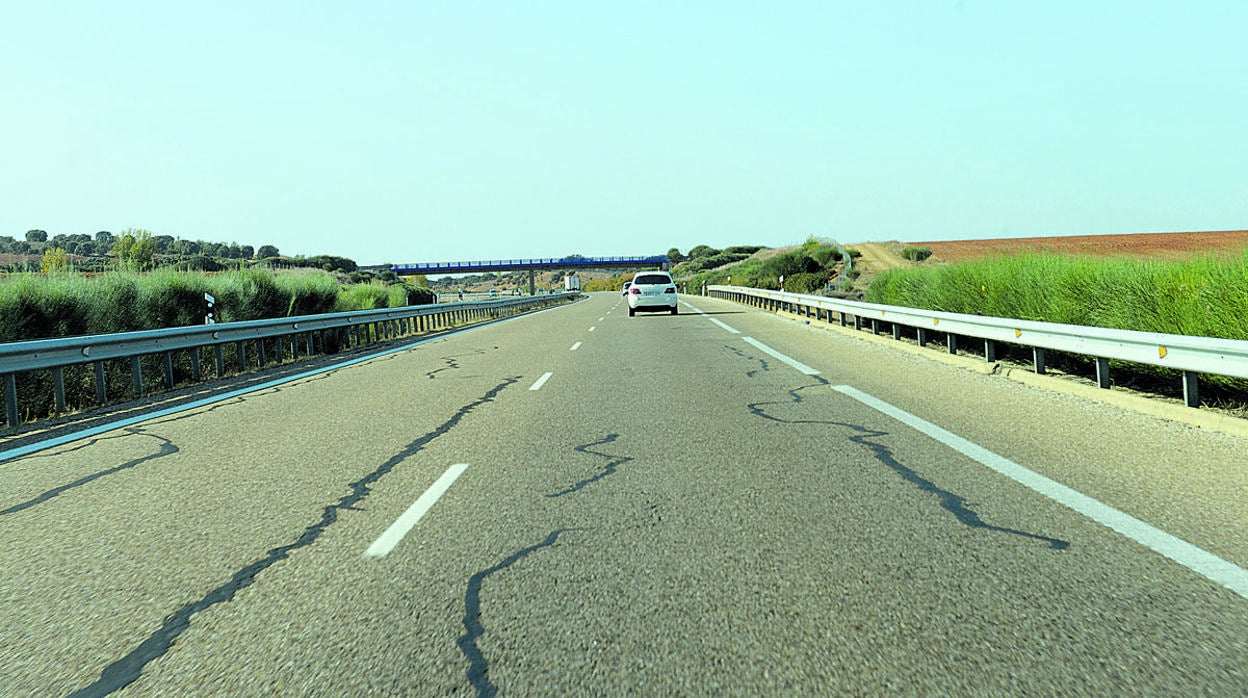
point(675, 511)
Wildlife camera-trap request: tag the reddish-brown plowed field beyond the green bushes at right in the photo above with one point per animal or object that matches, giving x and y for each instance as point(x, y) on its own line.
point(1161, 245)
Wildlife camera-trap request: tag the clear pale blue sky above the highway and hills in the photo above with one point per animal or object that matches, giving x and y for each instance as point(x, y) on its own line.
point(434, 132)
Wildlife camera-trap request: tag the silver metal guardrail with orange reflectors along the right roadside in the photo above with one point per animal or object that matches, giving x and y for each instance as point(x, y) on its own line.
point(1190, 355)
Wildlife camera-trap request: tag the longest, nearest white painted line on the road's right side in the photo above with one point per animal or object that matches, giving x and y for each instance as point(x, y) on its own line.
point(1197, 560)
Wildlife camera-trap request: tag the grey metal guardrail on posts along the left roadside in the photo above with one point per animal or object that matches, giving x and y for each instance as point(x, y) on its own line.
point(359, 328)
